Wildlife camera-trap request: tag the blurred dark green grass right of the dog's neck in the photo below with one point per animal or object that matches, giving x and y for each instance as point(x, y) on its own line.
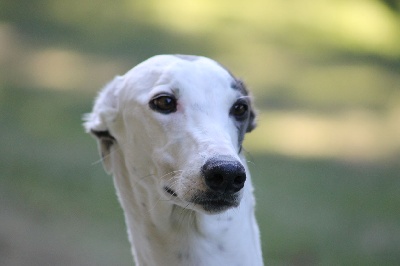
point(327, 212)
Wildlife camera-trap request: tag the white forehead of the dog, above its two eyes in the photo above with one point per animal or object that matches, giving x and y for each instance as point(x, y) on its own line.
point(183, 73)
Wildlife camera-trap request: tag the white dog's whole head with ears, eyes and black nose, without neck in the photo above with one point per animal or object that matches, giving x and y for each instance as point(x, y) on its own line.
point(185, 117)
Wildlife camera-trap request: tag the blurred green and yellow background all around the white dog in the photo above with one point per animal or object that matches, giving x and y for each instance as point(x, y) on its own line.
point(325, 157)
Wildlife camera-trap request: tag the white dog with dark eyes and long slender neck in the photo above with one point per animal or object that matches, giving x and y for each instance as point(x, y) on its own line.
point(170, 131)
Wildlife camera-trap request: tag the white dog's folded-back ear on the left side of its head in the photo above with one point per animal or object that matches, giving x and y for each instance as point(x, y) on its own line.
point(104, 114)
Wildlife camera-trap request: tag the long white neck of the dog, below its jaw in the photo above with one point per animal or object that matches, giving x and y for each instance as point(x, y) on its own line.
point(162, 233)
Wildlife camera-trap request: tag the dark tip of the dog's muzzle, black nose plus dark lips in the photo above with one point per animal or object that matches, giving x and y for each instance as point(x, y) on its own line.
point(224, 177)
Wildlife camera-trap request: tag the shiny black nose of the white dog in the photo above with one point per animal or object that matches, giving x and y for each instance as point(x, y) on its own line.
point(224, 175)
